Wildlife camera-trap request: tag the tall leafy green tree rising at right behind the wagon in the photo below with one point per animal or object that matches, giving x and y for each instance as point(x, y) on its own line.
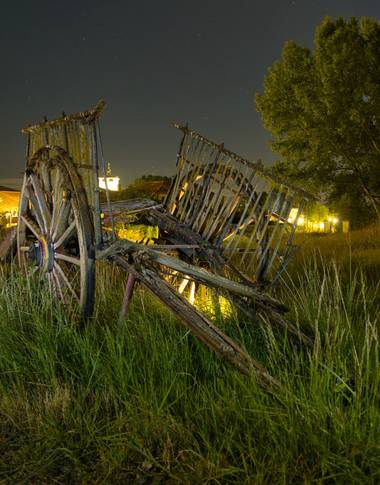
point(322, 107)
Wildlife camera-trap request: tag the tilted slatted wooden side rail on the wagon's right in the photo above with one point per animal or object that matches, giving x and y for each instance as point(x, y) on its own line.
point(244, 211)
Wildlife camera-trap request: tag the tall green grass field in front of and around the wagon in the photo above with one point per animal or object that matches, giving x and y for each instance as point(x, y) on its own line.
point(143, 402)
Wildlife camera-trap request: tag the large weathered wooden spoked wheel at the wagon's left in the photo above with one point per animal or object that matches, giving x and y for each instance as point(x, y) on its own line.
point(55, 229)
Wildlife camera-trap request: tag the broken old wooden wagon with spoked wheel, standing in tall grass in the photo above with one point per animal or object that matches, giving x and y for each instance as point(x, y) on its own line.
point(225, 225)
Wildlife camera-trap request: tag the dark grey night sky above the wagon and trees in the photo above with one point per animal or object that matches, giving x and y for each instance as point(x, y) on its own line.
point(153, 62)
